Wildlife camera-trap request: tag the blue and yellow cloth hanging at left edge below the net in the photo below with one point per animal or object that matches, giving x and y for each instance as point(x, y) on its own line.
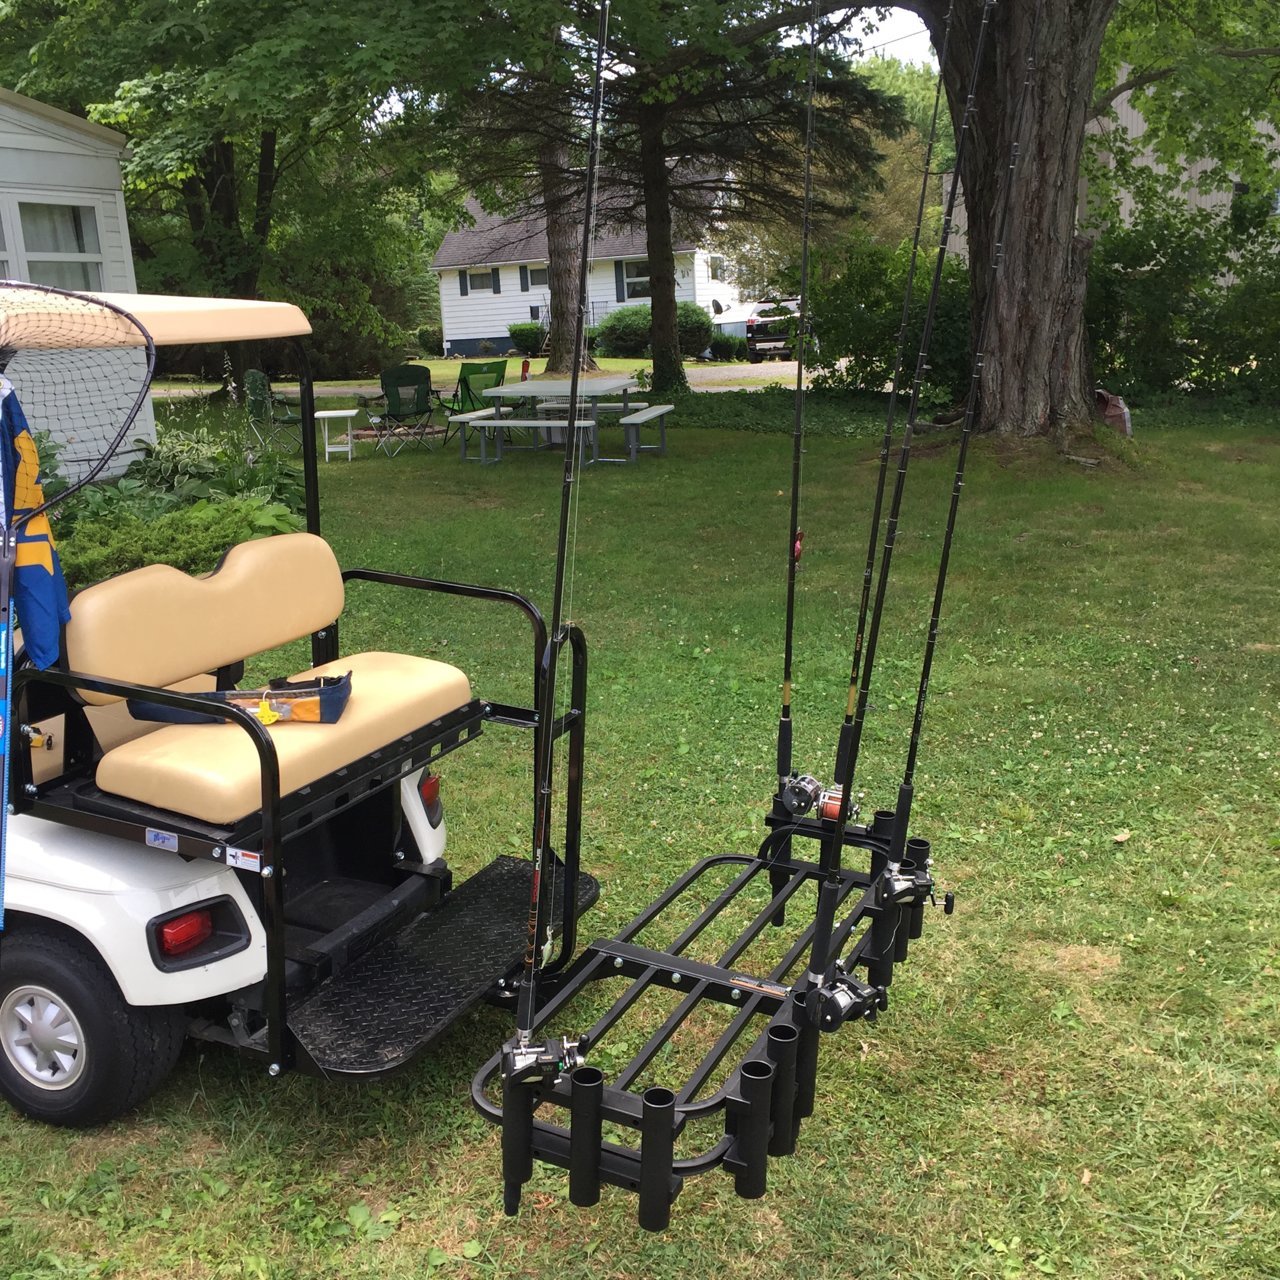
point(39, 588)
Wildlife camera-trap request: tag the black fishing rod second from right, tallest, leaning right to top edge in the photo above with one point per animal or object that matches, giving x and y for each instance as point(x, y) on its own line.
point(852, 732)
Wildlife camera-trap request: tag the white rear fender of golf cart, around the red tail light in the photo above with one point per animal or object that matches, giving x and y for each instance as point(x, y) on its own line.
point(108, 890)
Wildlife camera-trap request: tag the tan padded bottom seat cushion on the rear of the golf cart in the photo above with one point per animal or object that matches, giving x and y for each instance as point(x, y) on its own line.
point(212, 771)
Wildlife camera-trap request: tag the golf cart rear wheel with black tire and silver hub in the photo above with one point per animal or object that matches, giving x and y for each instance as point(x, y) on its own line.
point(72, 1050)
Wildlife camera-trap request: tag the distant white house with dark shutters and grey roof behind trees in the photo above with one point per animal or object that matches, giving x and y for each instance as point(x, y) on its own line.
point(495, 275)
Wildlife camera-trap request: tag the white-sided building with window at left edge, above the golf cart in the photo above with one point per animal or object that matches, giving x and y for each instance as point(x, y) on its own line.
point(62, 212)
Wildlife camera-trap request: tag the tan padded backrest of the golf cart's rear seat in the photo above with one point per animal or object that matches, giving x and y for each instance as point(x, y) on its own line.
point(158, 627)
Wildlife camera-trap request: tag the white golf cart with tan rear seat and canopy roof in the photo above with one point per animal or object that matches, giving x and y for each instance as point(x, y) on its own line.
point(278, 889)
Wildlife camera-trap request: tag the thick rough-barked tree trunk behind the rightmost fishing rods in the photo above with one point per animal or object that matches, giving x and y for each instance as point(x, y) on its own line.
point(1036, 378)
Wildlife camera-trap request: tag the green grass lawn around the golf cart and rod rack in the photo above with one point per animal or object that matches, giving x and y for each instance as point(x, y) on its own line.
point(1080, 1072)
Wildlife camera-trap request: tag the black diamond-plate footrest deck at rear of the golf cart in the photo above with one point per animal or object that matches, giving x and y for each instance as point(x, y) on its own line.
point(388, 1007)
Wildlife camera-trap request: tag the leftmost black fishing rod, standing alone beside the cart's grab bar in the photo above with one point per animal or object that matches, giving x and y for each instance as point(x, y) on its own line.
point(541, 907)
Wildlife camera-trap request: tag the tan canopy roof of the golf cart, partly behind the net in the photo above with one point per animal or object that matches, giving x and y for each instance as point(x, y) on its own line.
point(172, 322)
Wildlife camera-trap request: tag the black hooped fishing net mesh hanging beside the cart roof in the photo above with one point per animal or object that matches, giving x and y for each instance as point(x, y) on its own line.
point(79, 369)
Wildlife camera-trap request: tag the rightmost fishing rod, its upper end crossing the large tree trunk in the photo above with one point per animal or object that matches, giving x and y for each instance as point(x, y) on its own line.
point(971, 413)
